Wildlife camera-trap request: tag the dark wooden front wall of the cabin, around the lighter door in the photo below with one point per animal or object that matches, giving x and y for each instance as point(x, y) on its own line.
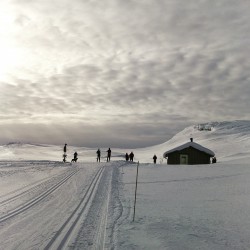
point(194, 156)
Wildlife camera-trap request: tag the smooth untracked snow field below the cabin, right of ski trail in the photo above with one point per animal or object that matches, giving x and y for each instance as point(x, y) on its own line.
point(187, 207)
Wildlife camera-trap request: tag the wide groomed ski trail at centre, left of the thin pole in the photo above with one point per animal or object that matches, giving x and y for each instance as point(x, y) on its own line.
point(87, 226)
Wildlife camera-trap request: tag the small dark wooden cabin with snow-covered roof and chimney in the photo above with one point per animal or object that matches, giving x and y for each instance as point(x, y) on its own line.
point(189, 153)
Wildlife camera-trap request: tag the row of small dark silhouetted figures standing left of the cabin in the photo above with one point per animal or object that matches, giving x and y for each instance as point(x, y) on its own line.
point(128, 157)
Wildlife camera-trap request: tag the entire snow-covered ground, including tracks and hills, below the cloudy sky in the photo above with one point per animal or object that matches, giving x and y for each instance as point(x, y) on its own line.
point(46, 204)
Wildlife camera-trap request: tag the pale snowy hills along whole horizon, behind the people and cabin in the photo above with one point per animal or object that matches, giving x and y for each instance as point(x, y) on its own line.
point(230, 140)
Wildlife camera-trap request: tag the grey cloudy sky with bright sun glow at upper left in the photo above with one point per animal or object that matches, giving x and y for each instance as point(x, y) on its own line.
point(120, 73)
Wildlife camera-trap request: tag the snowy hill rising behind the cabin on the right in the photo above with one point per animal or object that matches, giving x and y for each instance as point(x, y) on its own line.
point(229, 140)
